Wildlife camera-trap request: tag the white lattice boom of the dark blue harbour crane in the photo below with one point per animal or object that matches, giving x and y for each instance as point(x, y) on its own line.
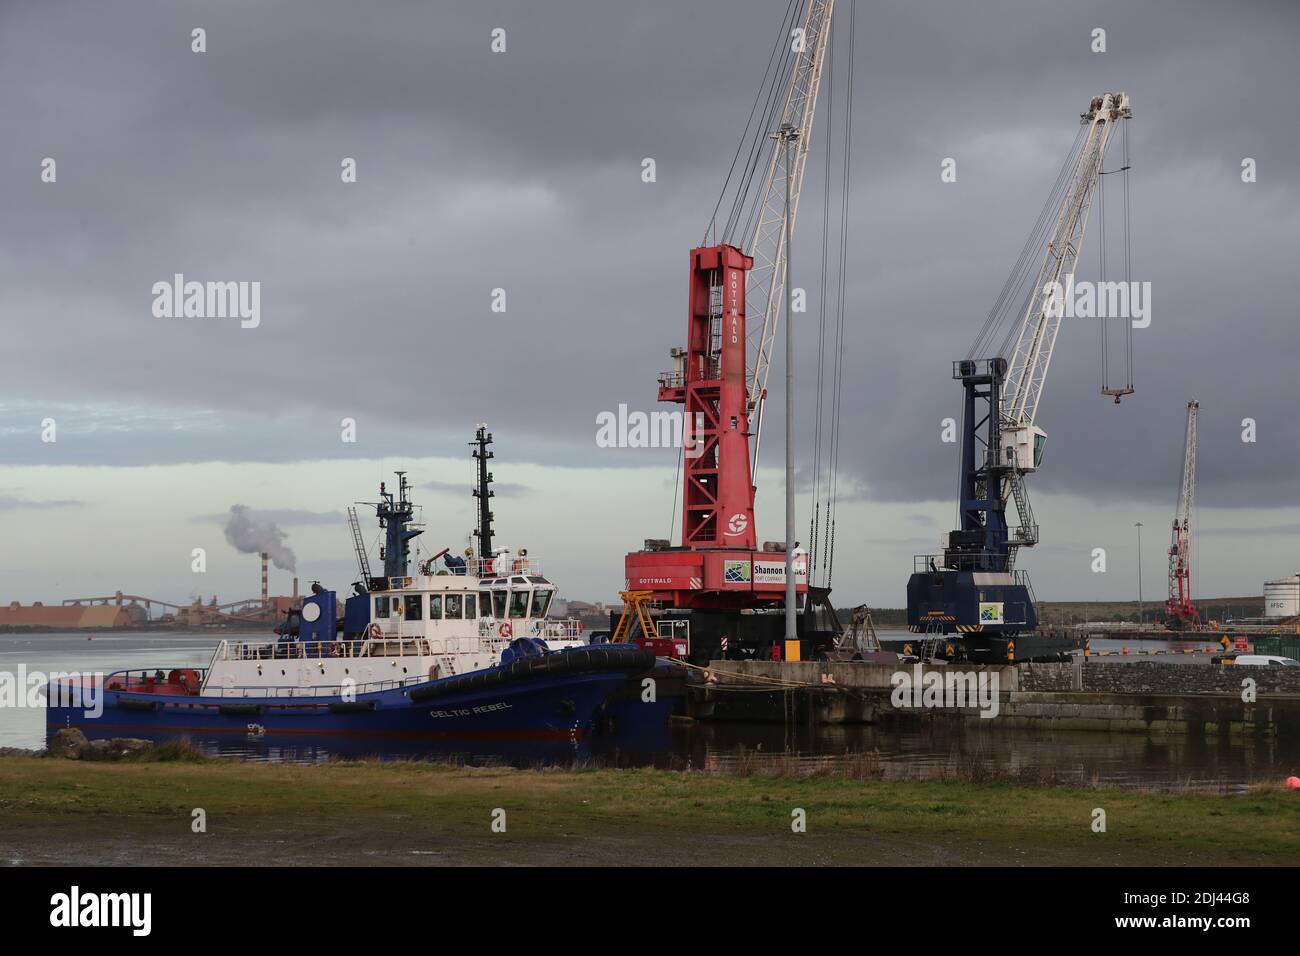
point(1030, 360)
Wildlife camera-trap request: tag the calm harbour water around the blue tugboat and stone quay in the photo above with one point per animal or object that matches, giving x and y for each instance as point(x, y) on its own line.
point(941, 751)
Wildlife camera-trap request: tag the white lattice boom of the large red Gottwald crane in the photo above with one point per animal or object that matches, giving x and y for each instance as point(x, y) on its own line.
point(766, 288)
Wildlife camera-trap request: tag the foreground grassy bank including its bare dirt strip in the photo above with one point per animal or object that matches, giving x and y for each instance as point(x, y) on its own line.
point(55, 811)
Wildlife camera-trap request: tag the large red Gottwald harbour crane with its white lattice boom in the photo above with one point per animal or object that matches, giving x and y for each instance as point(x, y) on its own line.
point(718, 594)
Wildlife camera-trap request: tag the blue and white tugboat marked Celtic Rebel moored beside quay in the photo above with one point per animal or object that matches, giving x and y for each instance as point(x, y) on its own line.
point(465, 651)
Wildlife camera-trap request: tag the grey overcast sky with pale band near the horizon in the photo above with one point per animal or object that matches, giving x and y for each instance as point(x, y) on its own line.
point(522, 171)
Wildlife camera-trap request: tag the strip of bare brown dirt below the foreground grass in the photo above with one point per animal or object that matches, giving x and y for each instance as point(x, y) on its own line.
point(145, 842)
